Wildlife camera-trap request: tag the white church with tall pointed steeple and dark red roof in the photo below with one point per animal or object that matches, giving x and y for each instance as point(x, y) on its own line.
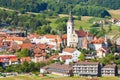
point(77, 38)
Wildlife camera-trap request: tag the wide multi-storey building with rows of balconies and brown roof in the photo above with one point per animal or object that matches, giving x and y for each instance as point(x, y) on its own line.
point(85, 68)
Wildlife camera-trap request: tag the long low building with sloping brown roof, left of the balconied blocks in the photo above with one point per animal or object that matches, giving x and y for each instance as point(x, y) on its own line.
point(57, 69)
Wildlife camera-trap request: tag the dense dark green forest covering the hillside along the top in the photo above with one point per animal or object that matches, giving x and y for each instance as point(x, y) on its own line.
point(96, 8)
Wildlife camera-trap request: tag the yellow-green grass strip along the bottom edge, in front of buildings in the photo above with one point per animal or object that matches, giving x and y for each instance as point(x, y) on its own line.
point(58, 78)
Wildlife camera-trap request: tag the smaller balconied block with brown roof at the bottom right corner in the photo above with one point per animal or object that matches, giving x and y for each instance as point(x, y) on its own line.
point(110, 70)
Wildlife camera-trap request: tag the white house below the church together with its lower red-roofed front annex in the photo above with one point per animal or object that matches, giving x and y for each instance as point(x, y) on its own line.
point(70, 54)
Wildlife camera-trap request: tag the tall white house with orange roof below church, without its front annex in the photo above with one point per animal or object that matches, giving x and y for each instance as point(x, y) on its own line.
point(72, 52)
